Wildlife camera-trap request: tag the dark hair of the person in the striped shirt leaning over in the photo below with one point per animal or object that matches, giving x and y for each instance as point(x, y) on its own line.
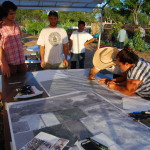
point(127, 55)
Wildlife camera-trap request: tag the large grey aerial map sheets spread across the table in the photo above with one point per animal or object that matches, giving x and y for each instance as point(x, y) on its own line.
point(76, 109)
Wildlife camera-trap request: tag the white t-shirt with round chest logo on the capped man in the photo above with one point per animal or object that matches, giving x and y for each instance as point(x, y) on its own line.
point(53, 39)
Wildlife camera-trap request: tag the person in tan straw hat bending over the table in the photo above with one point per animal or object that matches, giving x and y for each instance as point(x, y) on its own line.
point(104, 58)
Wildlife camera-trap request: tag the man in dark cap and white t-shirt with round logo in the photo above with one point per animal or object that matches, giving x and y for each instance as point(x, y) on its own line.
point(53, 41)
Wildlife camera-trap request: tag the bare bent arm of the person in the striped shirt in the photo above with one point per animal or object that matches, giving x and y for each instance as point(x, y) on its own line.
point(129, 89)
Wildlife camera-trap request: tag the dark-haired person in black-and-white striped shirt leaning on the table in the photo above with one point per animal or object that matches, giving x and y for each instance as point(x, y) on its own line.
point(135, 79)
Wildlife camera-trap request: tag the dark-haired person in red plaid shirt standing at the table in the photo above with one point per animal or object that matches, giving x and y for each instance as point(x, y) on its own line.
point(11, 50)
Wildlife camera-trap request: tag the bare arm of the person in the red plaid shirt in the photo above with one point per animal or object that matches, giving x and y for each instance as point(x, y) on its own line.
point(4, 66)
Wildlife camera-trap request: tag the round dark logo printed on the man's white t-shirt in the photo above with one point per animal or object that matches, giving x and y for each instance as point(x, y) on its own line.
point(54, 38)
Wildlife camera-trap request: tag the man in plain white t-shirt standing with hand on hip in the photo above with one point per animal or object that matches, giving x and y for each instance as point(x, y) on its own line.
point(78, 40)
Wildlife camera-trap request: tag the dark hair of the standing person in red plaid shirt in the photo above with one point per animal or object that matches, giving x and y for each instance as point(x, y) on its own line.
point(8, 5)
